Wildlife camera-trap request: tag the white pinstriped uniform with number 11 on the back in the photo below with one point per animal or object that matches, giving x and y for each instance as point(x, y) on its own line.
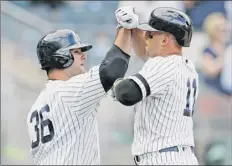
point(164, 119)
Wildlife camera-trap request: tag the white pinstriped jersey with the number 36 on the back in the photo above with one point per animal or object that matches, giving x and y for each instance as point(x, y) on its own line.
point(62, 122)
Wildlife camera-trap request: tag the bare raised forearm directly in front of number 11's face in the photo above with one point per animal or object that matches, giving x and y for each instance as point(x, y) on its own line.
point(138, 43)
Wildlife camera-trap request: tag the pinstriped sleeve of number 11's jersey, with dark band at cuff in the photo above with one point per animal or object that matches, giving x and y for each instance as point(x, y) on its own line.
point(155, 76)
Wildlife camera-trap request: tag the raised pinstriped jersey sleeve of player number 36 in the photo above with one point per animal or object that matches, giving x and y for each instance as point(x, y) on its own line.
point(84, 91)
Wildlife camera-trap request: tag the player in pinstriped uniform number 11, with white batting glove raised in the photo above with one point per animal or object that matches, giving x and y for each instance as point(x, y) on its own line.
point(164, 91)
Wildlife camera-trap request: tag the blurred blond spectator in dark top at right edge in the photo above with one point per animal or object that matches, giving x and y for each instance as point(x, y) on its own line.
point(216, 28)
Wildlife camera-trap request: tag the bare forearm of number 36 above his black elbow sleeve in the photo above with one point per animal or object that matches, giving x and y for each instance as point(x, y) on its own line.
point(123, 40)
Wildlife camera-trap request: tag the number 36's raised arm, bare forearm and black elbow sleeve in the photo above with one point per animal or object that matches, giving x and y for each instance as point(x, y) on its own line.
point(116, 62)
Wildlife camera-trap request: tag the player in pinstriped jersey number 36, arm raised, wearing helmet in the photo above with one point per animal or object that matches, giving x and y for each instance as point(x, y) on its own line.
point(62, 122)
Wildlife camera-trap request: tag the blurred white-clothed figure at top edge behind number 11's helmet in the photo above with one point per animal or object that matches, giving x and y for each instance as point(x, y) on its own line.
point(144, 8)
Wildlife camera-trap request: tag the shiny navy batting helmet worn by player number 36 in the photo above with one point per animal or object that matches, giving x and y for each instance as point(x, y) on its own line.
point(53, 50)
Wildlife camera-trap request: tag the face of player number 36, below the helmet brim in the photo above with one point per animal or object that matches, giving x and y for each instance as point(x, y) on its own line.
point(79, 61)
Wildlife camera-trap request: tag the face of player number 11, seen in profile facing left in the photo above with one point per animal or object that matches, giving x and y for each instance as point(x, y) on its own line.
point(153, 43)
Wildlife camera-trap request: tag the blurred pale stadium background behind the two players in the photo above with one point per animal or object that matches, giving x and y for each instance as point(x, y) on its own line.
point(24, 22)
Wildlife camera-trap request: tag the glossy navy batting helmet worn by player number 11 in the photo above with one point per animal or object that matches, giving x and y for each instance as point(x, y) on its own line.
point(172, 21)
